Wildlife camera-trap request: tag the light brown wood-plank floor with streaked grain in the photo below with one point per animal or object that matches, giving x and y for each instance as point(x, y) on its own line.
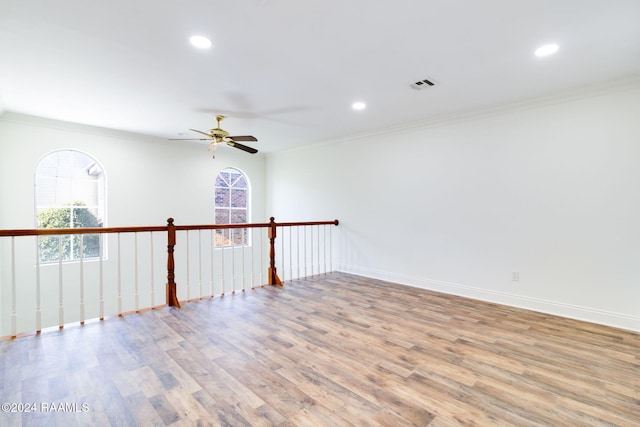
point(332, 350)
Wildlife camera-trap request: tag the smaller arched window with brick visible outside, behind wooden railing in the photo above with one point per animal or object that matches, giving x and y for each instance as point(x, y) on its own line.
point(231, 206)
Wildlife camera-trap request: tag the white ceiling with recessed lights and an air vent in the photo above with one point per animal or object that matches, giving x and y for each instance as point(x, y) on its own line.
point(287, 71)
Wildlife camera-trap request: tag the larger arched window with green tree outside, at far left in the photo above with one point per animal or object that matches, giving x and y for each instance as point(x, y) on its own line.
point(69, 193)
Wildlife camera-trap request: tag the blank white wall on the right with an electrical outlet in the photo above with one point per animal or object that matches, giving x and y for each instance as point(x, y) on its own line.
point(549, 190)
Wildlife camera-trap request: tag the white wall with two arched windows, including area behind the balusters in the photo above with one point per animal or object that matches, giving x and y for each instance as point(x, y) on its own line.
point(148, 180)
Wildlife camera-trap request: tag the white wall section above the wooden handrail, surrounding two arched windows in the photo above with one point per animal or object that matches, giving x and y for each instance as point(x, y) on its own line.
point(148, 179)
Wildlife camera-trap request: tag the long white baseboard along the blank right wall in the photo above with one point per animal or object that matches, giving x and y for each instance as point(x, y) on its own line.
point(587, 314)
